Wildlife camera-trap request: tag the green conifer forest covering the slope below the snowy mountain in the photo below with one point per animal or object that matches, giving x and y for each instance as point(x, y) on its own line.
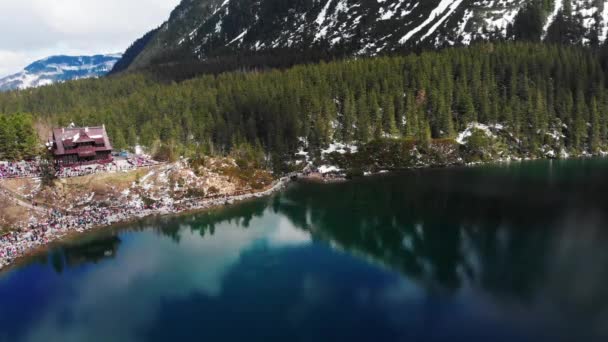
point(541, 94)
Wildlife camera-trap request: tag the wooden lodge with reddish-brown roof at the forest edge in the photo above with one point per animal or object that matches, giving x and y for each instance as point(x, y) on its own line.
point(81, 145)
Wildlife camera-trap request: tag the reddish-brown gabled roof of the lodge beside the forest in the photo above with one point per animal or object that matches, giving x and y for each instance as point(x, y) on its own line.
point(69, 138)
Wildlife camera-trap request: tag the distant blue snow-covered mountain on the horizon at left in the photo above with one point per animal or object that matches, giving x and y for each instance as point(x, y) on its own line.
point(59, 69)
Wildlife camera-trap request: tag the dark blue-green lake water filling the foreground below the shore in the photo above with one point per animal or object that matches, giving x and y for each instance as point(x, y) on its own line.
point(508, 253)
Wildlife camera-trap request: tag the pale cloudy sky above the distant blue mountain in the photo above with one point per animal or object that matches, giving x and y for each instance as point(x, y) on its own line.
point(35, 29)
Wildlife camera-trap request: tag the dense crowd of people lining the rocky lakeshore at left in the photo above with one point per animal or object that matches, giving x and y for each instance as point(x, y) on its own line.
point(58, 224)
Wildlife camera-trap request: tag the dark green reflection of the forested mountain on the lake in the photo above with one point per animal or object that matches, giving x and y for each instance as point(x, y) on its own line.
point(508, 232)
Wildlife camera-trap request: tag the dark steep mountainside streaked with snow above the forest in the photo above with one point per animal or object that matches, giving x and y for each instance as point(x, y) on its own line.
point(201, 30)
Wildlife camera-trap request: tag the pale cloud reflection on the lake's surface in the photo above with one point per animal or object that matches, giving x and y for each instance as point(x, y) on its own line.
point(126, 293)
